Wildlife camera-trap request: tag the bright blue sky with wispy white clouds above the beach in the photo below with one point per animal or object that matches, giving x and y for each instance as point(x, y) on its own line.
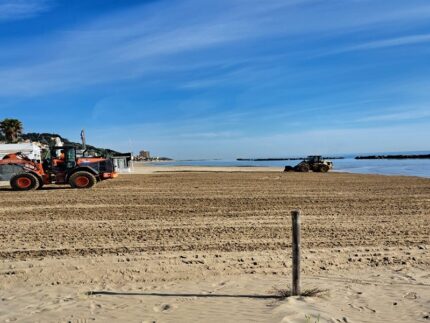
point(221, 79)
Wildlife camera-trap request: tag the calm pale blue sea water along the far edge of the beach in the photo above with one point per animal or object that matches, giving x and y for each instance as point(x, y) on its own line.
point(408, 167)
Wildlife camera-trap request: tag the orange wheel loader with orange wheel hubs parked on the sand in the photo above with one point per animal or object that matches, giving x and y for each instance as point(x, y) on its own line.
point(62, 166)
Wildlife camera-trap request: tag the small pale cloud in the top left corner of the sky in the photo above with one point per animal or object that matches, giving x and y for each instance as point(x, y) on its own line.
point(21, 9)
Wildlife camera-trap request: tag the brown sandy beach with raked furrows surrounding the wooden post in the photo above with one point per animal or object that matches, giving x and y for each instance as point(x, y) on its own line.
point(209, 245)
